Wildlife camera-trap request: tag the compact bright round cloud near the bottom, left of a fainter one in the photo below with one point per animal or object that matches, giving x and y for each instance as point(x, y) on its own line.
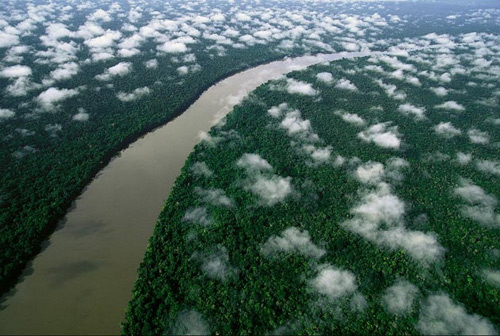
point(333, 282)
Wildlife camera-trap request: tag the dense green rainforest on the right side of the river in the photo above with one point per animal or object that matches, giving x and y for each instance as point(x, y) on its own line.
point(356, 197)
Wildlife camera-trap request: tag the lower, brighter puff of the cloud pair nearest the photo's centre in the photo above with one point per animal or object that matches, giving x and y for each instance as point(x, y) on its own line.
point(271, 190)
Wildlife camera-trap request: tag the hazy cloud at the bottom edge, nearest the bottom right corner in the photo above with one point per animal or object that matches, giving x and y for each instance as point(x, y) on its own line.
point(441, 316)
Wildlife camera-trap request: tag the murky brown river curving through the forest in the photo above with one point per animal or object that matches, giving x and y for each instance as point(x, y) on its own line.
point(82, 280)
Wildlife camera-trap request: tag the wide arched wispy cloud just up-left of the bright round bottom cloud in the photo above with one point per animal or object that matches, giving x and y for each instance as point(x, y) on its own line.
point(292, 240)
